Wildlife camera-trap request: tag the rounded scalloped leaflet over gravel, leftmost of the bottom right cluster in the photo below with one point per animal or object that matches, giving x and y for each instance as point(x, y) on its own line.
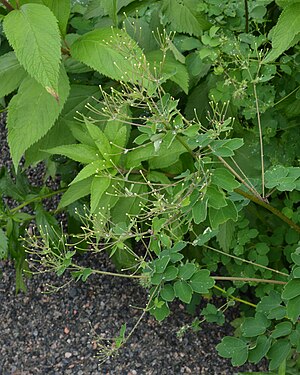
point(234, 348)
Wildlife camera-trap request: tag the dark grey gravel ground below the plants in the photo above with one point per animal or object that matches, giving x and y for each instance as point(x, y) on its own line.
point(55, 333)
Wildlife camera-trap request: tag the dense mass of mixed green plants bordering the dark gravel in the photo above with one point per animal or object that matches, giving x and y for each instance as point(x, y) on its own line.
point(183, 165)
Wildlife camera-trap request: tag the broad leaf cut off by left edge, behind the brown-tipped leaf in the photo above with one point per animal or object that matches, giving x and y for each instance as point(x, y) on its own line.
point(11, 73)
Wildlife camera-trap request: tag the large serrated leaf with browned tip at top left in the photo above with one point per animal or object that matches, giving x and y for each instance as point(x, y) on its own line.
point(33, 33)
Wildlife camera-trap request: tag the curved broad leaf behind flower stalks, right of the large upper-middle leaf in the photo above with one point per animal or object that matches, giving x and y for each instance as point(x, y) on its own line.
point(169, 68)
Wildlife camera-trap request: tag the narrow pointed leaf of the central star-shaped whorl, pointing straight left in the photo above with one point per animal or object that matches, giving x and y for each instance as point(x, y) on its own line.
point(78, 152)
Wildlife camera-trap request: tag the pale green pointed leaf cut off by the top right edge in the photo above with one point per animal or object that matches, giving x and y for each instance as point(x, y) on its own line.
point(285, 31)
